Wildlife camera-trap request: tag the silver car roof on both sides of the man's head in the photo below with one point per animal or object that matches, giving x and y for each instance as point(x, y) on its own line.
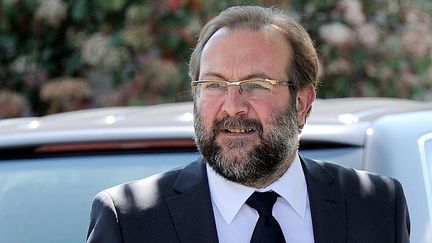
point(342, 121)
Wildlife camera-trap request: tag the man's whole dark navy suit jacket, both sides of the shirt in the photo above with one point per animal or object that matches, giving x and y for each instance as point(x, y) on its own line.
point(346, 206)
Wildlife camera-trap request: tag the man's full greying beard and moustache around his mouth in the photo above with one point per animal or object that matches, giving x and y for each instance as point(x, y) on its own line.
point(259, 165)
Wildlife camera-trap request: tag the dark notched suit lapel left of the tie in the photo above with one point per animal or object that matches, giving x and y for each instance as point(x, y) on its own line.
point(191, 210)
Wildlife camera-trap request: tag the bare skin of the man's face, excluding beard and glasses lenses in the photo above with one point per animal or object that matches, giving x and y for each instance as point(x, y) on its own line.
point(240, 55)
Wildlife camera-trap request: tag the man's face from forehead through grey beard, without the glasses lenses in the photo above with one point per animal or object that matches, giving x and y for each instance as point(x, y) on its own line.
point(246, 140)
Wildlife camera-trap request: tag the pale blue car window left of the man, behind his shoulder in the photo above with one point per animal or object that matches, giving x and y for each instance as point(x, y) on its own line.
point(49, 199)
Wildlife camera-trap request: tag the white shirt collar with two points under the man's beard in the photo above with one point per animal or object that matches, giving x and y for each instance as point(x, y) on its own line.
point(229, 196)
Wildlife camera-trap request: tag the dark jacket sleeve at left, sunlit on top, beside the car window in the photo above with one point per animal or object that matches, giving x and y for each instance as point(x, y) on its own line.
point(104, 225)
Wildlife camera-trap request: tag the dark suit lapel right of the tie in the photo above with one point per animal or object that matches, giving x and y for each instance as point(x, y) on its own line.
point(327, 203)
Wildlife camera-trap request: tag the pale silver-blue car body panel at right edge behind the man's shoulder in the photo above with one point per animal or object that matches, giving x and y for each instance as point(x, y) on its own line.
point(392, 149)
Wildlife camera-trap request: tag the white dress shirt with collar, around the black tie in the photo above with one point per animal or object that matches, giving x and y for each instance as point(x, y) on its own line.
point(235, 220)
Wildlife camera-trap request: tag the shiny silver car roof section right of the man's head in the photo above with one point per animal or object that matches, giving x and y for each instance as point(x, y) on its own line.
point(344, 121)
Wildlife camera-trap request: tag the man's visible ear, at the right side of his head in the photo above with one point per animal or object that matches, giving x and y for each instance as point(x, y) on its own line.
point(305, 98)
